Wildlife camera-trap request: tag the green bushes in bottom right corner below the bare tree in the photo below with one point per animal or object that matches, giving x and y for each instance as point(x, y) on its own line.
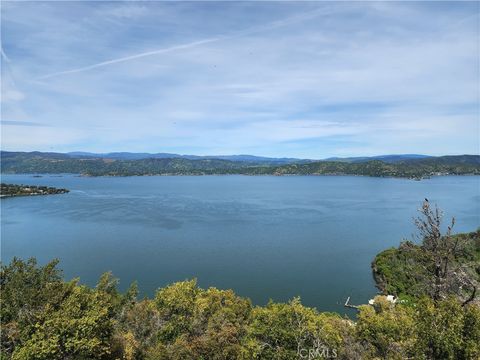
point(430, 330)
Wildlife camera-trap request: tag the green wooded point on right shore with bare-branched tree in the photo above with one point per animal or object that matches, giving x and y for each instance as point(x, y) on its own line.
point(440, 265)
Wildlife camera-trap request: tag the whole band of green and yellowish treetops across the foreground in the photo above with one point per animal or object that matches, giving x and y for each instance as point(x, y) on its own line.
point(44, 317)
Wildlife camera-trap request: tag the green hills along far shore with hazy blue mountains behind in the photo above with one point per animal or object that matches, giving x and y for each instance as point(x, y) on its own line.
point(127, 164)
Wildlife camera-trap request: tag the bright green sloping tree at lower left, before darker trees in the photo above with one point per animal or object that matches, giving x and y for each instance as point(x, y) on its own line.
point(80, 328)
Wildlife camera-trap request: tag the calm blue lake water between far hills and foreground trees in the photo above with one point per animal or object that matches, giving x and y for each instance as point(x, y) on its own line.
point(263, 236)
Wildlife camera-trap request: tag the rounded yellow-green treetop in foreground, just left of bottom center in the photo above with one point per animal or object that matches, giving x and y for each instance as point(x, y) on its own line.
point(199, 323)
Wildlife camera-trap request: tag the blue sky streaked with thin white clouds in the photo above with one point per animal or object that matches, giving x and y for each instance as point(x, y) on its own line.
point(296, 79)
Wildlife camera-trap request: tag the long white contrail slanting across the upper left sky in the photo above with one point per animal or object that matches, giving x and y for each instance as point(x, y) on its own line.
point(269, 26)
